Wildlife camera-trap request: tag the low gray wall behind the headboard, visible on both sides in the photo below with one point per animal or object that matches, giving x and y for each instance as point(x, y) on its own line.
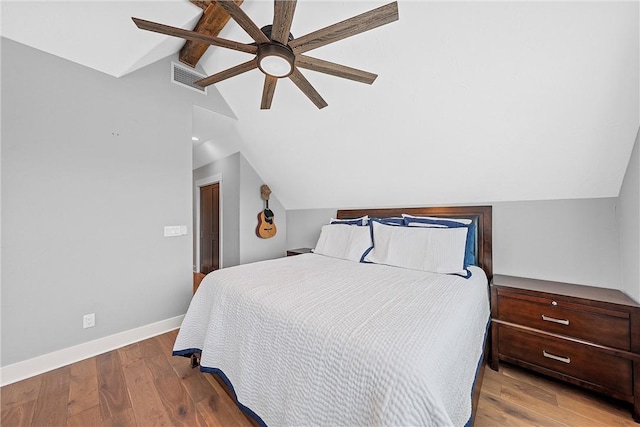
point(566, 240)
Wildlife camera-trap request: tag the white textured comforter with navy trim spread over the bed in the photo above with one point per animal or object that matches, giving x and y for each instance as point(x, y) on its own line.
point(313, 340)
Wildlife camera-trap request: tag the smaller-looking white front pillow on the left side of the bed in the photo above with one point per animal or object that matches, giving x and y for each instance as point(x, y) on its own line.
point(343, 241)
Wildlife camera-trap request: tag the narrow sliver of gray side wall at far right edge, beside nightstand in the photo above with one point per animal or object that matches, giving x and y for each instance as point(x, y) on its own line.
point(629, 217)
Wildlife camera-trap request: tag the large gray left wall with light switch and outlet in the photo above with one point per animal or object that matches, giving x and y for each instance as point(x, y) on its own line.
point(93, 168)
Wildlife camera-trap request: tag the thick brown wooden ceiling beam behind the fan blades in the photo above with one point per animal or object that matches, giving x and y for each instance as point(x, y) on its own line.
point(212, 21)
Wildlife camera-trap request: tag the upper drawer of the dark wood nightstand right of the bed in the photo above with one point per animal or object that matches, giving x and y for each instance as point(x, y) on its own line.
point(605, 327)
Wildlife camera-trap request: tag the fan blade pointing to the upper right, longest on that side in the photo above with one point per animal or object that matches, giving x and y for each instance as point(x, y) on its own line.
point(347, 28)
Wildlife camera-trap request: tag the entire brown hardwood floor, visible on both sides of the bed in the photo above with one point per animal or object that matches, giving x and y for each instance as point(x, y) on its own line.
point(143, 385)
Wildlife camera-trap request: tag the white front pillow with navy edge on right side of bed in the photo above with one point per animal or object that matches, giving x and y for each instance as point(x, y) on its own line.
point(438, 250)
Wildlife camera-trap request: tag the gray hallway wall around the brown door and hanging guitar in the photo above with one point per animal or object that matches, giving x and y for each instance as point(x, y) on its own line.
point(241, 203)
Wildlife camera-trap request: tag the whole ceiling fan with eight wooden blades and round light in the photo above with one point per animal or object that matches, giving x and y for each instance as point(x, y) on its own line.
point(277, 53)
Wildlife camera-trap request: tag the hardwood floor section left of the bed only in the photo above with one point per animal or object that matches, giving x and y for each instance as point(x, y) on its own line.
point(137, 385)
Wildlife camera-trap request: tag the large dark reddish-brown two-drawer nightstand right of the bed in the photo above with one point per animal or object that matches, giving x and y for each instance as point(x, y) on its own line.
point(584, 335)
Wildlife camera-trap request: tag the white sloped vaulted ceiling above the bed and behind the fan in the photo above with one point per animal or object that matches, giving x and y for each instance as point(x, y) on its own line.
point(475, 101)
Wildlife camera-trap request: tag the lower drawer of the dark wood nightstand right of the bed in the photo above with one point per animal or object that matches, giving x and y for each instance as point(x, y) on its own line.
point(577, 360)
